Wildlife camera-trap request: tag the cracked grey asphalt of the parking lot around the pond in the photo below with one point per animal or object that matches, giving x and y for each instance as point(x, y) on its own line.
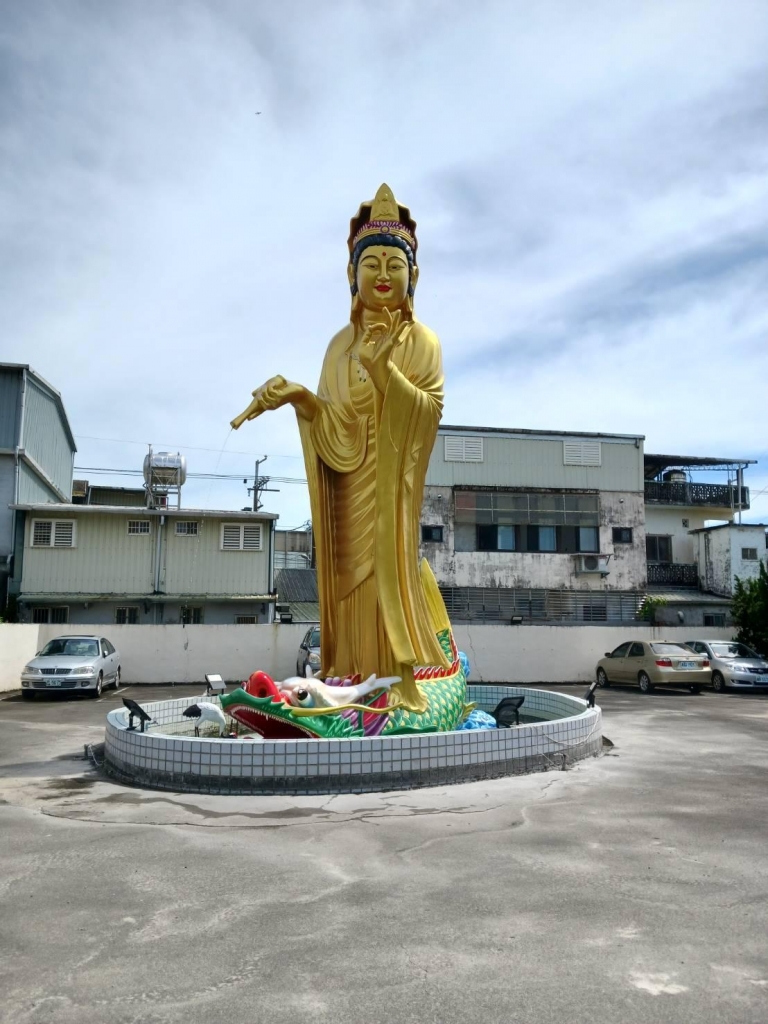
point(630, 889)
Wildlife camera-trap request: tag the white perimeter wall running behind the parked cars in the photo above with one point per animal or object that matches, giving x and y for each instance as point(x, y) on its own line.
point(174, 654)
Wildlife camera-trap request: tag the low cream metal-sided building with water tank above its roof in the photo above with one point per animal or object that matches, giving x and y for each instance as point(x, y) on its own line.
point(125, 565)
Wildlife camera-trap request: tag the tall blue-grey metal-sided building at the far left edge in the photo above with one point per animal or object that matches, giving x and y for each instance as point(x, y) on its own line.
point(37, 453)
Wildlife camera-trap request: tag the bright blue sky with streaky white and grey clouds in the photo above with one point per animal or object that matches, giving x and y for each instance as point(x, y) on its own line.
point(590, 184)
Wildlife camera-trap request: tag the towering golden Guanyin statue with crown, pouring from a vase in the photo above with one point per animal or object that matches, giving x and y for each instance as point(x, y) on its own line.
point(367, 438)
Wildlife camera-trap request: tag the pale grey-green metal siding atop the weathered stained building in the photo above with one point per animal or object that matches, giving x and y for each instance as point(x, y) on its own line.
point(531, 462)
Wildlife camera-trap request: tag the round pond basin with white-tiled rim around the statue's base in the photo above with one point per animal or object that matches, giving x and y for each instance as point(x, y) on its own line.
point(558, 730)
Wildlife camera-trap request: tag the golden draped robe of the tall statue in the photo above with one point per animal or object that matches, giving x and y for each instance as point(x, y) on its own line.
point(366, 457)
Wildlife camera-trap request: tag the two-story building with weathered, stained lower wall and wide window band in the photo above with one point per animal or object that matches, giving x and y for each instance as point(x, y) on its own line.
point(537, 526)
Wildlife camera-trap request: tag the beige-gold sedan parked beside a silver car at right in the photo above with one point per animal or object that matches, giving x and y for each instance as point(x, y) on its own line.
point(655, 664)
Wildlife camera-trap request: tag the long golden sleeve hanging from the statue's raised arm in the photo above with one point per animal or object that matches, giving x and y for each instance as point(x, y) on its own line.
point(408, 429)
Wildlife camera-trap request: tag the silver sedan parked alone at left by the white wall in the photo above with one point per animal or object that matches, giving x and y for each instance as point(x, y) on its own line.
point(73, 663)
